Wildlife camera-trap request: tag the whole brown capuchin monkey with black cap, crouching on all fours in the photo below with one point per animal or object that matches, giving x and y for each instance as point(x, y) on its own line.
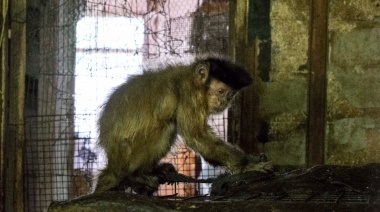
point(142, 117)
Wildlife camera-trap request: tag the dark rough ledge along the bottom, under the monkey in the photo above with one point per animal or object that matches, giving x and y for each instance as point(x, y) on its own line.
point(237, 192)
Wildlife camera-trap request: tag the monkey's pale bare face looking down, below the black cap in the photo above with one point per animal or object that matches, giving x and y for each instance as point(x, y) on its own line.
point(219, 96)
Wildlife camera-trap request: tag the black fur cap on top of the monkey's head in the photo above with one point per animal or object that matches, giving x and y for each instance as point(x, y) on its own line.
point(230, 73)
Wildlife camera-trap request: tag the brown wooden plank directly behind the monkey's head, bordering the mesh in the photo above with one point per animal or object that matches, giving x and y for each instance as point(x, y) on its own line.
point(243, 52)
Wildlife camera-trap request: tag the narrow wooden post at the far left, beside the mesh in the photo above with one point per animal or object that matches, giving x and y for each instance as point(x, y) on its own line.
point(14, 108)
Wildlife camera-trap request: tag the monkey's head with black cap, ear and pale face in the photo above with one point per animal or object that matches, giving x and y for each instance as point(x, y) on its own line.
point(223, 79)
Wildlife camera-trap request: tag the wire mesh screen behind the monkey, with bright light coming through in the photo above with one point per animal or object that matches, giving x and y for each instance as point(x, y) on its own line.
point(78, 51)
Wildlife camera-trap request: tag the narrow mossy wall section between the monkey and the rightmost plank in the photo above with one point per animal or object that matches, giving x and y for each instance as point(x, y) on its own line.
point(283, 103)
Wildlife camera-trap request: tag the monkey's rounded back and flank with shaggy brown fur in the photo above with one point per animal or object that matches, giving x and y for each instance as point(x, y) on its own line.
point(142, 105)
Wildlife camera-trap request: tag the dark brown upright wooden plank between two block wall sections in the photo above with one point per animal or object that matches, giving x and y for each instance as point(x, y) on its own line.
point(317, 82)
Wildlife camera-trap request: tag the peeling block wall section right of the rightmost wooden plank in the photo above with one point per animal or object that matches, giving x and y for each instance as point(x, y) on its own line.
point(353, 92)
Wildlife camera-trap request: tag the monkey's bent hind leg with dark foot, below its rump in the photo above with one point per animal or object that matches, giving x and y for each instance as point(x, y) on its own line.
point(135, 166)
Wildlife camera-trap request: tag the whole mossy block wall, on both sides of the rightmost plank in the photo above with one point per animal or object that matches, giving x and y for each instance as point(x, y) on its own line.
point(353, 76)
